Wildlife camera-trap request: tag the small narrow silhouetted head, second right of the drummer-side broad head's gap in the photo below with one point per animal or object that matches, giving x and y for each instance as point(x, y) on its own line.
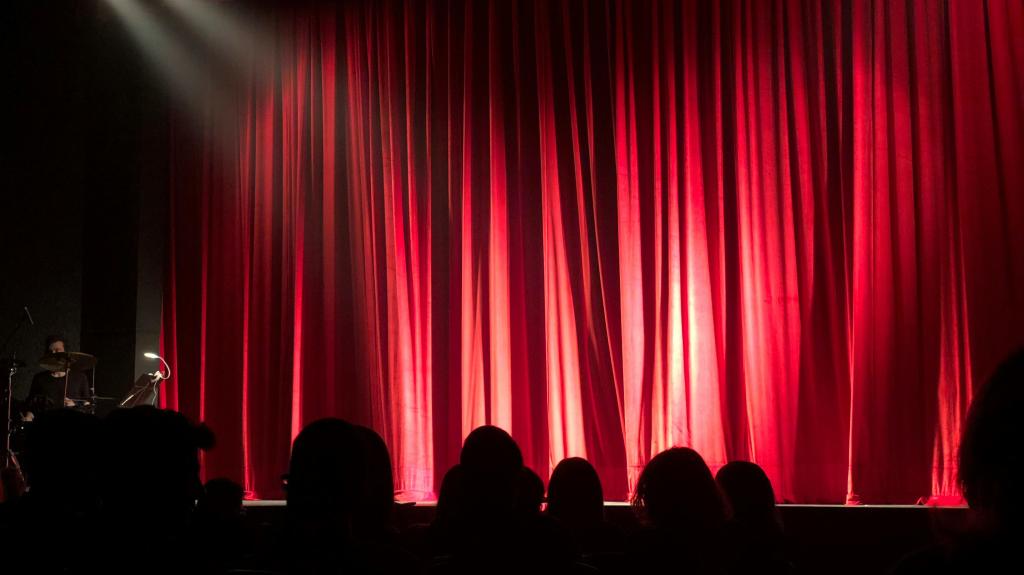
point(575, 495)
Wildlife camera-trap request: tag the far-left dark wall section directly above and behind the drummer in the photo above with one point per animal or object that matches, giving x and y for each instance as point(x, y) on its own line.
point(44, 190)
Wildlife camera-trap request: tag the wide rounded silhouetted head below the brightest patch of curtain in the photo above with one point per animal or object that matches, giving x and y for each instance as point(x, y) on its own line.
point(677, 492)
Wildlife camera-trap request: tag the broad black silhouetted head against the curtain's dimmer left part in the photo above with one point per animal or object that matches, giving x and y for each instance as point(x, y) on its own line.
point(327, 472)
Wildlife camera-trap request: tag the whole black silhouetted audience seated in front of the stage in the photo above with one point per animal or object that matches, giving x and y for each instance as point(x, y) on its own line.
point(134, 479)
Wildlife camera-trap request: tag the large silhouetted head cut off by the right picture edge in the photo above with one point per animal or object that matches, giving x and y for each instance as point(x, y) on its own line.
point(992, 454)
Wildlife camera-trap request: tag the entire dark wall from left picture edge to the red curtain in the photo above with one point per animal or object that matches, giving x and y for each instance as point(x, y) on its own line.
point(81, 219)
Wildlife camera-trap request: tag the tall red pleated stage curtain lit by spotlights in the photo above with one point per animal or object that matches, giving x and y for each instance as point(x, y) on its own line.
point(772, 231)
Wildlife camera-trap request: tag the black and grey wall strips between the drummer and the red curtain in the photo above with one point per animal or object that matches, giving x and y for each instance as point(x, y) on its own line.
point(126, 183)
